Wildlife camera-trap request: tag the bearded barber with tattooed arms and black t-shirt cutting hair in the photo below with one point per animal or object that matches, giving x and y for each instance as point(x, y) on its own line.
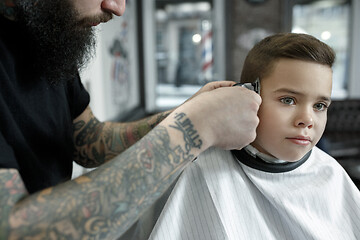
point(46, 124)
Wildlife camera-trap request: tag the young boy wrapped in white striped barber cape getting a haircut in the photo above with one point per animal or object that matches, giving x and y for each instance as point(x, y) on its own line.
point(281, 186)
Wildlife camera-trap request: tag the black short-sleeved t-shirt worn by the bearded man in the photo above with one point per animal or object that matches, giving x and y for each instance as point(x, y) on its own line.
point(36, 132)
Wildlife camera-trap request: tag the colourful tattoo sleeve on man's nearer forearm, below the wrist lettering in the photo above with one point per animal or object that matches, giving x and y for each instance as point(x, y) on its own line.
point(105, 202)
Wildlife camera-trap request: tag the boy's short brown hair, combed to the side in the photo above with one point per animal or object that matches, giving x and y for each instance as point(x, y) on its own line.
point(261, 58)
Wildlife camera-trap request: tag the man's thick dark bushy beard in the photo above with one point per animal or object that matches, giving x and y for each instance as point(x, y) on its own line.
point(62, 43)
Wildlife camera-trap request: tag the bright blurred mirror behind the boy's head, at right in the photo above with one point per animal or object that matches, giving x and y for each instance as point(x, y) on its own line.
point(329, 21)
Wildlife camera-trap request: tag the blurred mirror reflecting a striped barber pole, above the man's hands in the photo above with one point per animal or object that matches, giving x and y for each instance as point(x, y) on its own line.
point(183, 49)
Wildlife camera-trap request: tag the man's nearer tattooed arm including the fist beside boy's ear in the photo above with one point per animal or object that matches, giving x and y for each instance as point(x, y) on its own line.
point(104, 203)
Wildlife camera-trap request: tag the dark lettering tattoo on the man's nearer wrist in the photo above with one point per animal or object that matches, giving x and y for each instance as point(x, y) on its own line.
point(191, 136)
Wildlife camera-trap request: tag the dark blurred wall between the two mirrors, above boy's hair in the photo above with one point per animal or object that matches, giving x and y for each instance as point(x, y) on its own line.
point(248, 23)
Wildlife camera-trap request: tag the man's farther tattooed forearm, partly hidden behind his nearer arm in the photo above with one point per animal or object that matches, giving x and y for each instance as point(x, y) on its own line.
point(97, 142)
